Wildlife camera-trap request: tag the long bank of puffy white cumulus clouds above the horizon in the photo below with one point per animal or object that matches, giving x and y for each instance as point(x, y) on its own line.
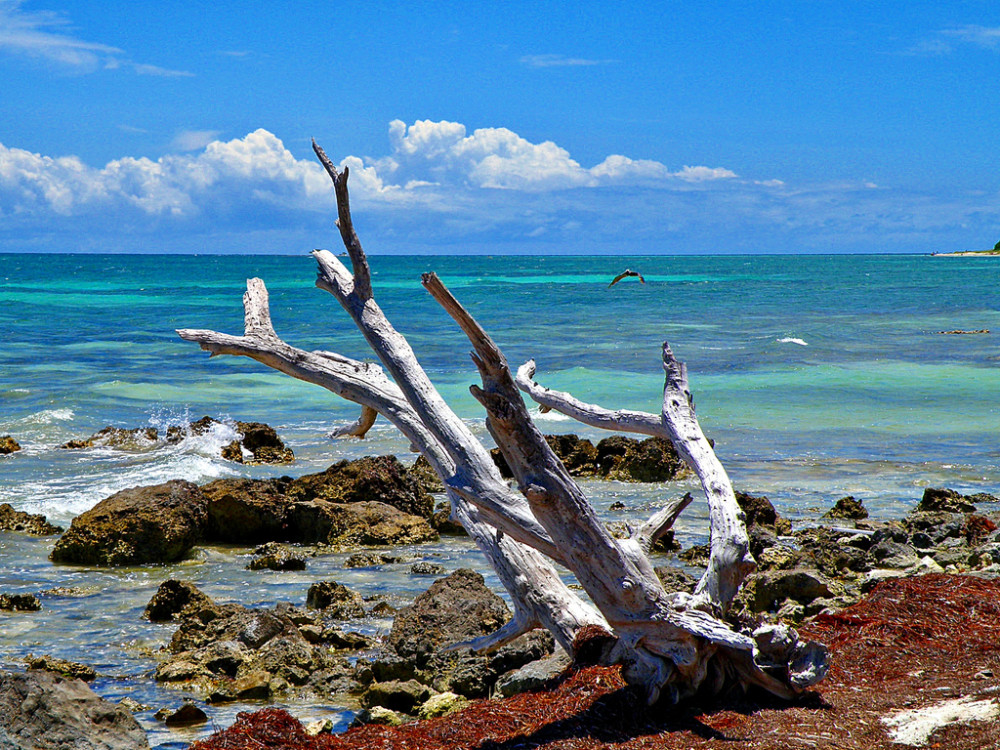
point(441, 188)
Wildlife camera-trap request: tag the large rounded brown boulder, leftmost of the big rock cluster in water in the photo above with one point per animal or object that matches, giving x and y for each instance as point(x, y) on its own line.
point(136, 526)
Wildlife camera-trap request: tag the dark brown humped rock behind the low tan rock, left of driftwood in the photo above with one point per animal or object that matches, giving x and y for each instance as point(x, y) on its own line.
point(379, 478)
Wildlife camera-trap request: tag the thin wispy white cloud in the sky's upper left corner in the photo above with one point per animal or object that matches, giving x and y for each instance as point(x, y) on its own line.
point(46, 35)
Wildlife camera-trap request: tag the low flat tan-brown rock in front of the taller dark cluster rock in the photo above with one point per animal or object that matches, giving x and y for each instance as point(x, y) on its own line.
point(359, 523)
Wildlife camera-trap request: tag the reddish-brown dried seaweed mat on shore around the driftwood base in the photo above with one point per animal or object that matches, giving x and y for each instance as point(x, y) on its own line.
point(912, 643)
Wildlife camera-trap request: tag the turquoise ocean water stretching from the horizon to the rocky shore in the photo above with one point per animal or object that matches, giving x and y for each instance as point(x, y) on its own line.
point(816, 376)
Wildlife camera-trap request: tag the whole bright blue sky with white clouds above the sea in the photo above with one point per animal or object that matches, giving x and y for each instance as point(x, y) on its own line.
point(507, 127)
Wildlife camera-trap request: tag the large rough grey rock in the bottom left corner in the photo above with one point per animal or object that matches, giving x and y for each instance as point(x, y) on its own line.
point(43, 711)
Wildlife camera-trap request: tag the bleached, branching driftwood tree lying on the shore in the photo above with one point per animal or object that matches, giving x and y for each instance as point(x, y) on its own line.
point(669, 644)
